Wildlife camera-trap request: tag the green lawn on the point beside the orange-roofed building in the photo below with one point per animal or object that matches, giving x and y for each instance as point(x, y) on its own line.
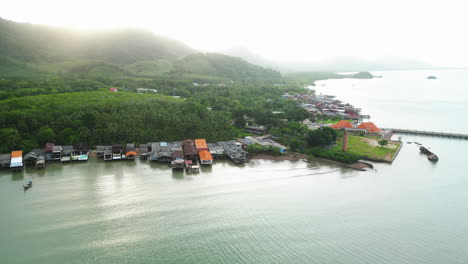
point(369, 147)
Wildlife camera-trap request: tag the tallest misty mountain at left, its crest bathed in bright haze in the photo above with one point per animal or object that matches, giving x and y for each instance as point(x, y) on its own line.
point(29, 43)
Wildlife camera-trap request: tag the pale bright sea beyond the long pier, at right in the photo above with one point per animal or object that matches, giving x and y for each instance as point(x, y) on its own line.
point(406, 99)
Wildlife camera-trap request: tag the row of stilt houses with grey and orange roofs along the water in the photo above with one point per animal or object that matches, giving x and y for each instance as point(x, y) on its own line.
point(182, 154)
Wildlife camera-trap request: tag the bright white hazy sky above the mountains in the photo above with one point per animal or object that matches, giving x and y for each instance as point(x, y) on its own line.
point(432, 31)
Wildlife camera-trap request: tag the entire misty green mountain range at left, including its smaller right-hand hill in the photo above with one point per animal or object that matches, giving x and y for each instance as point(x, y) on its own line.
point(27, 48)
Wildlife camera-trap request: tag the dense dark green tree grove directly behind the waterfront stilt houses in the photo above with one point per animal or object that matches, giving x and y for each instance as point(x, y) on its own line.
point(105, 118)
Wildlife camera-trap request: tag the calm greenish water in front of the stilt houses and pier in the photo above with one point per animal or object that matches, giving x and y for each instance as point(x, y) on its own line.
point(412, 211)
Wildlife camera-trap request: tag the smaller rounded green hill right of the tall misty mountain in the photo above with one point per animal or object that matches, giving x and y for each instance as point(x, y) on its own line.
point(221, 65)
